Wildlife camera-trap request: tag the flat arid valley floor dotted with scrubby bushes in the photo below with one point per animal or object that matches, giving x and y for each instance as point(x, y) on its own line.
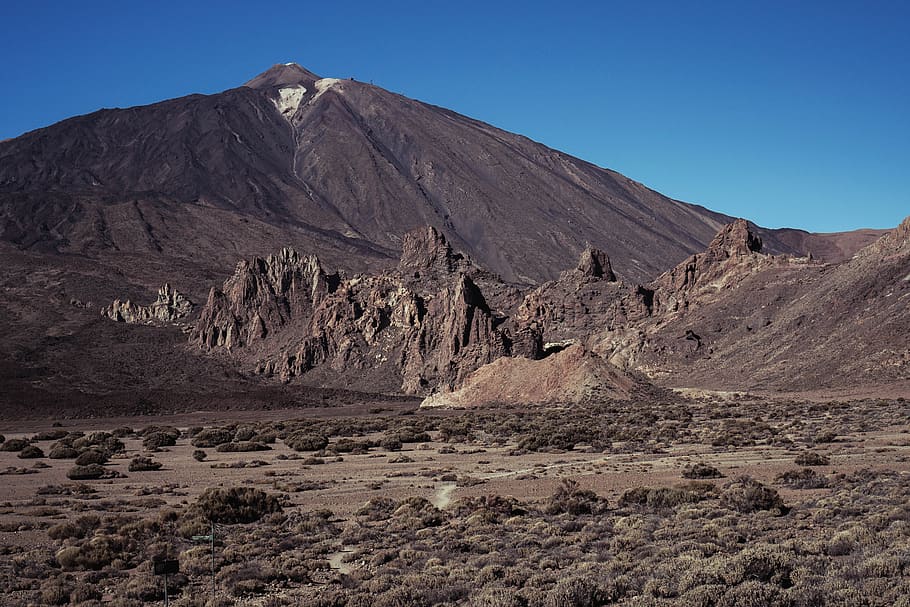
point(715, 500)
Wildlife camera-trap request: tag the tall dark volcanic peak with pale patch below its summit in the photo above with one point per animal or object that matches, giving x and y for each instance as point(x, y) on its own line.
point(338, 167)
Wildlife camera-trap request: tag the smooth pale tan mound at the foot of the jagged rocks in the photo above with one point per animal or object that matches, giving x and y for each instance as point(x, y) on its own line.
point(570, 376)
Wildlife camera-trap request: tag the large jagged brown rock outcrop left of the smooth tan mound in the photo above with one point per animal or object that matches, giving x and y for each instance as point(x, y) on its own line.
point(417, 329)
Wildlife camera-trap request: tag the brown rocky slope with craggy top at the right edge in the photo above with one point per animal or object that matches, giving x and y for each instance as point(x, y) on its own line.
point(734, 318)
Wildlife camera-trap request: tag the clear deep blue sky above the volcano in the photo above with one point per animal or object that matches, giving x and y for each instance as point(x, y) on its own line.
point(787, 113)
